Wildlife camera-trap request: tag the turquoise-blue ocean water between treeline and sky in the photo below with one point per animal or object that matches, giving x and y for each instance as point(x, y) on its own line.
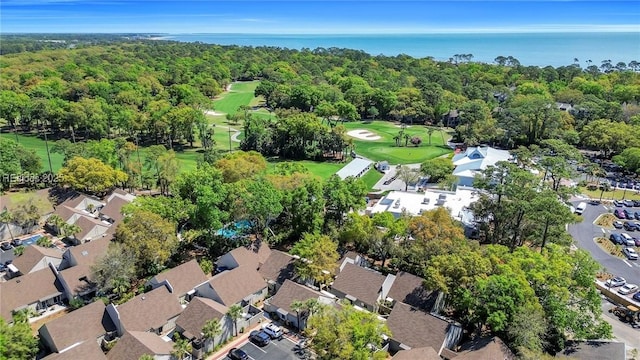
point(538, 49)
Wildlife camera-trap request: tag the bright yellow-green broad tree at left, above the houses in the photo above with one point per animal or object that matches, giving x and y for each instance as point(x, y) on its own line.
point(91, 175)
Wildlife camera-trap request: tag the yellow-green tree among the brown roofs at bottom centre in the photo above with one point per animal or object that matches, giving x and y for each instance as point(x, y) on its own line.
point(318, 255)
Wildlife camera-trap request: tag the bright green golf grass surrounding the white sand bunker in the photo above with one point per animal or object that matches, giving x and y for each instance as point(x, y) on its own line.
point(386, 149)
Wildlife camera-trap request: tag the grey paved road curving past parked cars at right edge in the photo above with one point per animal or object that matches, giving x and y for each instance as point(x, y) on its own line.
point(583, 234)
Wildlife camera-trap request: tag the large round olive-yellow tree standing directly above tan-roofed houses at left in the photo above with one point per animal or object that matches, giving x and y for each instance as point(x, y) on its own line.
point(151, 238)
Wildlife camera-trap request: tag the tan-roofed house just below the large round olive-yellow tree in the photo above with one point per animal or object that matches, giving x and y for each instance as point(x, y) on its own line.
point(181, 280)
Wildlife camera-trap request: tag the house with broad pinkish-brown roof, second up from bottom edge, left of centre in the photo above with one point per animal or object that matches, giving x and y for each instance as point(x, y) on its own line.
point(154, 311)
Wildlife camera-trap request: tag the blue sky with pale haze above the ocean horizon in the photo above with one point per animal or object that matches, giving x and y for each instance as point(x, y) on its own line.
point(316, 17)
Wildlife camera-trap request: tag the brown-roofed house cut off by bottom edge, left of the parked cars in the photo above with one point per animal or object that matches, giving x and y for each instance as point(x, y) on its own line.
point(134, 344)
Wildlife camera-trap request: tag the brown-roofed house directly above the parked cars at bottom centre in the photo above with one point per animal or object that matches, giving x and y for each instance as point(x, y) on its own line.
point(280, 303)
